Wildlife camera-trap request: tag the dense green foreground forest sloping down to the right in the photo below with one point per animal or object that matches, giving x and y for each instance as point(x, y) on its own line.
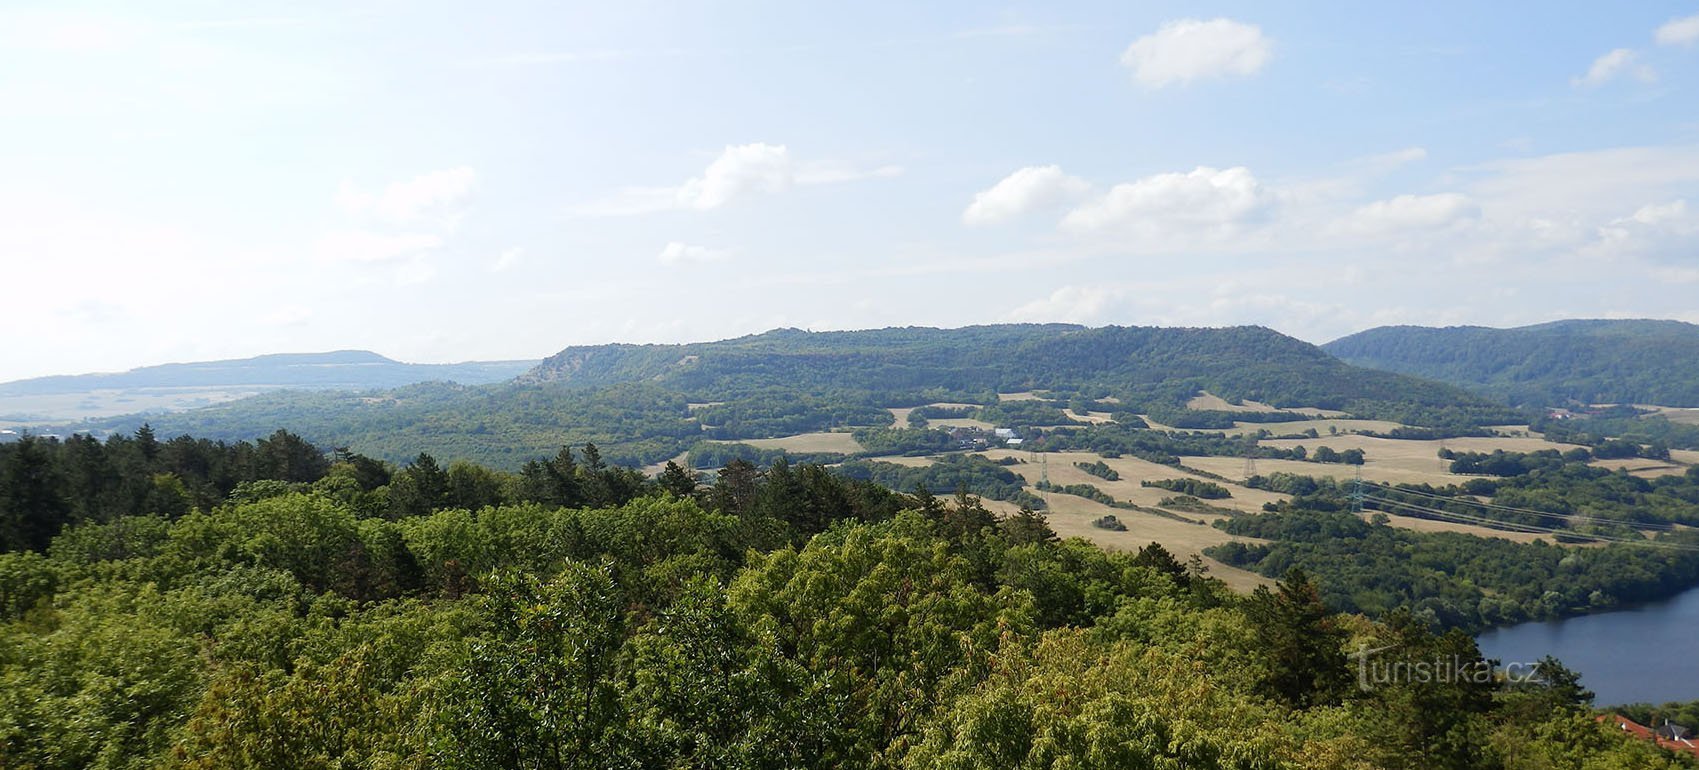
point(295, 609)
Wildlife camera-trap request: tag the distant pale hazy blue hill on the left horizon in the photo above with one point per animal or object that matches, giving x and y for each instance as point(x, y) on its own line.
point(342, 370)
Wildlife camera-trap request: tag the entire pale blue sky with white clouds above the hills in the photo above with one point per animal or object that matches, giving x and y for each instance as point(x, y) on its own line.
point(446, 181)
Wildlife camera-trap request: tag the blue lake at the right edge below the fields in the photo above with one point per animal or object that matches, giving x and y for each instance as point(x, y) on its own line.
point(1642, 654)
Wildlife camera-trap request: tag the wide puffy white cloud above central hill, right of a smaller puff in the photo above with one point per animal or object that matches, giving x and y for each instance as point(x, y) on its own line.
point(1202, 203)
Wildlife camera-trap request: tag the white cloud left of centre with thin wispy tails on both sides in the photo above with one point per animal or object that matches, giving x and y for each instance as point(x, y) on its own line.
point(738, 173)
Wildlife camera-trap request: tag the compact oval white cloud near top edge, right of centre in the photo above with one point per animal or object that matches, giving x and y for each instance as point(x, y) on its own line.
point(1195, 50)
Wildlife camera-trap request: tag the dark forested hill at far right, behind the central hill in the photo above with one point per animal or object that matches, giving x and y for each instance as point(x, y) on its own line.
point(1584, 361)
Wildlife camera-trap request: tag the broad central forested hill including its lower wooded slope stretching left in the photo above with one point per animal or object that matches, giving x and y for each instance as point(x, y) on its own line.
point(646, 404)
